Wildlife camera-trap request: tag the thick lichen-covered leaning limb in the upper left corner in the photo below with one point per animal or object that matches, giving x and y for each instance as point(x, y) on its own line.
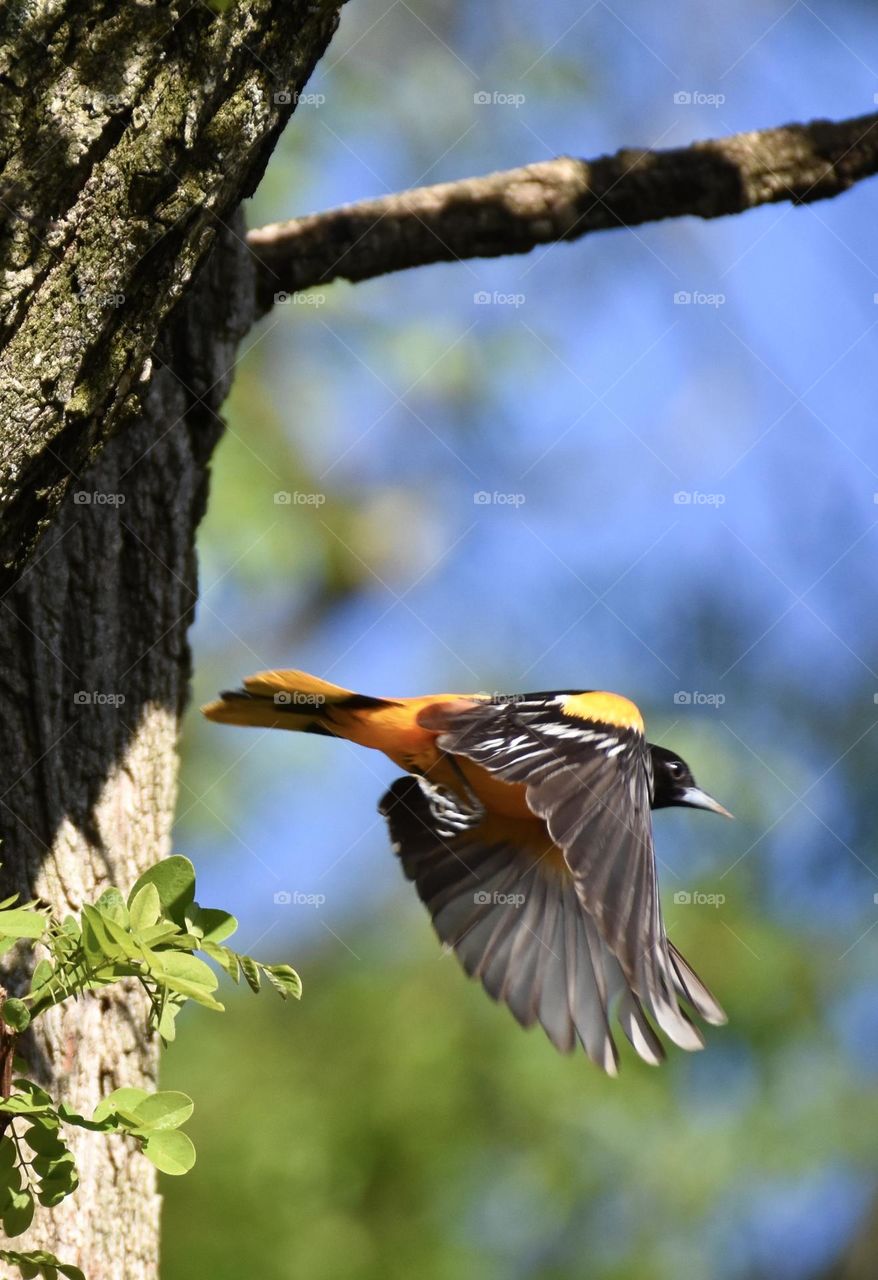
point(131, 135)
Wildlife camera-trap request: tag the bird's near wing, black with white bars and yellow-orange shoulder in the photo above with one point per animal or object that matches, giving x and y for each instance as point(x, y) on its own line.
point(587, 769)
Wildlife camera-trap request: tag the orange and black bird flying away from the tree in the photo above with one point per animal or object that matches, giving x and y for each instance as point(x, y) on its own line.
point(525, 824)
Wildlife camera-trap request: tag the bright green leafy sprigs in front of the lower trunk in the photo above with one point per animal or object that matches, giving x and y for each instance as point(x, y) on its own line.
point(150, 938)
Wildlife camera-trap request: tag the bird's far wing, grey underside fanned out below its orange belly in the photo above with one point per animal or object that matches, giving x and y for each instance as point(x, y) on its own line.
point(501, 895)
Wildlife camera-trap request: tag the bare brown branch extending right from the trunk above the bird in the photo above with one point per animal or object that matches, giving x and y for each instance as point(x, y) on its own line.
point(563, 200)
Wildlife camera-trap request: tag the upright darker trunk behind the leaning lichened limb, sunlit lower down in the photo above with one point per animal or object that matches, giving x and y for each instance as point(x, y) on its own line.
point(93, 683)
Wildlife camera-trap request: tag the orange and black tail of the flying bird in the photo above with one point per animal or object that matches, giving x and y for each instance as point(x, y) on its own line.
point(286, 700)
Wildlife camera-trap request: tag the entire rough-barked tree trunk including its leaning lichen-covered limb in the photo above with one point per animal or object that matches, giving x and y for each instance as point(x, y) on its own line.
point(132, 134)
